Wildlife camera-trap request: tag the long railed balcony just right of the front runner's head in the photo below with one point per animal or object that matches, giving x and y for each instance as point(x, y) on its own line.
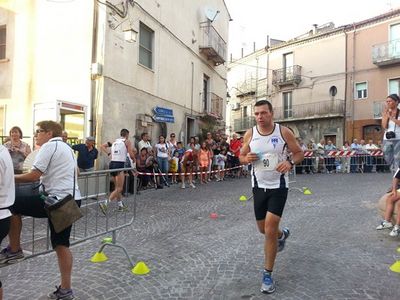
point(317, 110)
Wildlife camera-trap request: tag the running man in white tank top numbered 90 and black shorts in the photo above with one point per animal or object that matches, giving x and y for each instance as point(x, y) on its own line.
point(265, 147)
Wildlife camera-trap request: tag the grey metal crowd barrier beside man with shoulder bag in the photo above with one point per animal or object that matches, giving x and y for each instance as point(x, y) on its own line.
point(94, 187)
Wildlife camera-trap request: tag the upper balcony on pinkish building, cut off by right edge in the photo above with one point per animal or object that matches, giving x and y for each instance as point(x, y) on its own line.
point(386, 53)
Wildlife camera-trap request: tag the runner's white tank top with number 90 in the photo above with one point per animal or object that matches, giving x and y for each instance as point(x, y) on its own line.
point(271, 149)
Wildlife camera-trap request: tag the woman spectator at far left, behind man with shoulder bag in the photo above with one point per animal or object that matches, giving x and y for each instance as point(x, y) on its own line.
point(18, 149)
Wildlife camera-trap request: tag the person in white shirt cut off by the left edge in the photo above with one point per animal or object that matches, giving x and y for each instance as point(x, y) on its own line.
point(7, 194)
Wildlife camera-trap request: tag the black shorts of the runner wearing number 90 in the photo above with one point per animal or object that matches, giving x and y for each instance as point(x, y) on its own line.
point(269, 200)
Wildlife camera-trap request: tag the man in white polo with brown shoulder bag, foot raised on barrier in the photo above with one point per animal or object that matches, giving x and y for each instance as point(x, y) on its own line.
point(55, 167)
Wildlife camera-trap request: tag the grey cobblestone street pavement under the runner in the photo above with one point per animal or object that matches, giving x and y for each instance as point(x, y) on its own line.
point(334, 251)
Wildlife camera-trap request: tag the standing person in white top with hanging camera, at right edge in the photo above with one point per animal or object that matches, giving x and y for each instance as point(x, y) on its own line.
point(391, 124)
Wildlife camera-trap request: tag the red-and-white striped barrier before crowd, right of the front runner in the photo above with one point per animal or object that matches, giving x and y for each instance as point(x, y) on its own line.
point(343, 161)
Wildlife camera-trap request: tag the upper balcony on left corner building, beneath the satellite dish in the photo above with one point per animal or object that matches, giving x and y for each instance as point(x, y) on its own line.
point(211, 44)
